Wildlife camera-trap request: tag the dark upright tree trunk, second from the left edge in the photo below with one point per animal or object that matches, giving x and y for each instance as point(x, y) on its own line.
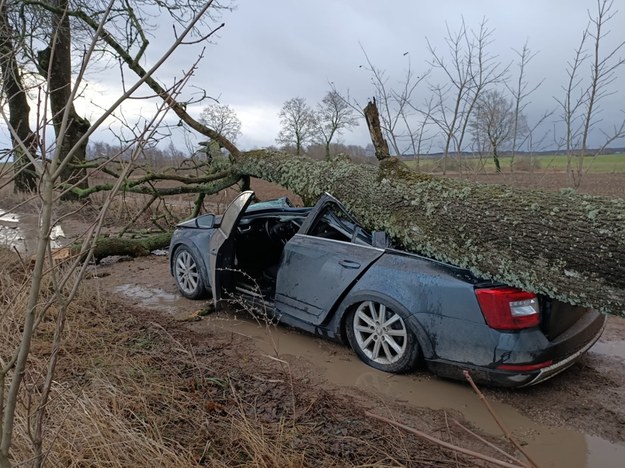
point(59, 73)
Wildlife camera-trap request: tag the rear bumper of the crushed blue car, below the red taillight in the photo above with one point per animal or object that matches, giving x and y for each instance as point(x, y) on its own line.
point(563, 353)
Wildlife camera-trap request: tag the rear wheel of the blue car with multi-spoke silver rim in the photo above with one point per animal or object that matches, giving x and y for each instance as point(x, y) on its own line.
point(382, 337)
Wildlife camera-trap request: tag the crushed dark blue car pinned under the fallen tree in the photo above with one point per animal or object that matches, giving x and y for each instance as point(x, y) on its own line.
point(318, 270)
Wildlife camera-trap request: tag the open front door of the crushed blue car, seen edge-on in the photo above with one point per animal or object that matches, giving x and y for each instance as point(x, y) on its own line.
point(221, 245)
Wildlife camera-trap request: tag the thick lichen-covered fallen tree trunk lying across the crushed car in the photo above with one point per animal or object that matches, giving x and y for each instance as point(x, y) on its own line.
point(570, 247)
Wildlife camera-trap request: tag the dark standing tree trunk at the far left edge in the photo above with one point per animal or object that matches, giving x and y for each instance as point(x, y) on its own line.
point(22, 138)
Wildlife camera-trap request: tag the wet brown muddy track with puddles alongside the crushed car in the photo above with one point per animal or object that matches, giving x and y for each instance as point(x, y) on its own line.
point(575, 420)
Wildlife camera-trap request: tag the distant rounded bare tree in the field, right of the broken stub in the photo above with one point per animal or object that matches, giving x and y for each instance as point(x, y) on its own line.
point(495, 123)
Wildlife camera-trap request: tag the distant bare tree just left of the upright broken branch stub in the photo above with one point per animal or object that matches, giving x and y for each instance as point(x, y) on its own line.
point(334, 114)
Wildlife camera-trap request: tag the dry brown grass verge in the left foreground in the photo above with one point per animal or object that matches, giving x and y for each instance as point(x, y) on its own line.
point(133, 391)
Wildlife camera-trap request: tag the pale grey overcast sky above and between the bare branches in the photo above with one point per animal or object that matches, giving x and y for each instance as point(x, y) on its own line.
point(273, 50)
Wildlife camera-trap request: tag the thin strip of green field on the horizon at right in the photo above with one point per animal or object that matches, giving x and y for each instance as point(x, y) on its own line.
point(602, 164)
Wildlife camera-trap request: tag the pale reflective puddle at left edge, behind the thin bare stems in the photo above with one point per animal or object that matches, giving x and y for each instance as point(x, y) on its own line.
point(19, 231)
